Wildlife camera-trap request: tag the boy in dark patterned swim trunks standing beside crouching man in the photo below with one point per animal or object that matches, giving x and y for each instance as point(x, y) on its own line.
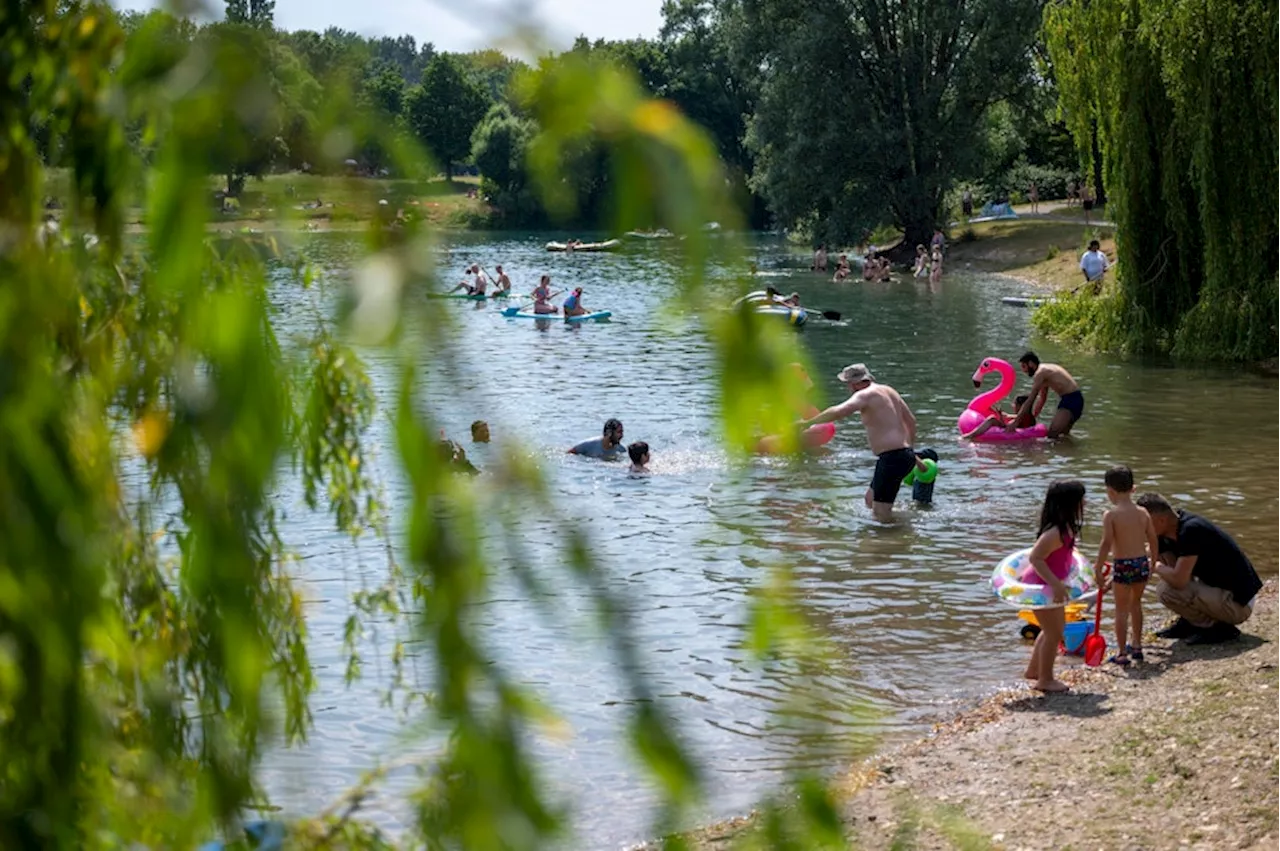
point(1130, 539)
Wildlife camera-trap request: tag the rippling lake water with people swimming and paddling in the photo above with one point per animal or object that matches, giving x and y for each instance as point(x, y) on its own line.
point(907, 607)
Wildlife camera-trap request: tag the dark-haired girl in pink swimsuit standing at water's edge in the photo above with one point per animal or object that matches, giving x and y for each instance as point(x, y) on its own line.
point(1052, 559)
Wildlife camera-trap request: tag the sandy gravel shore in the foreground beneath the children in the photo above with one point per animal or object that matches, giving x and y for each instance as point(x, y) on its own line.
point(1181, 752)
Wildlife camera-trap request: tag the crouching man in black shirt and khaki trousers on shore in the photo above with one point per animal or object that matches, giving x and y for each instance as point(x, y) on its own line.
point(1205, 577)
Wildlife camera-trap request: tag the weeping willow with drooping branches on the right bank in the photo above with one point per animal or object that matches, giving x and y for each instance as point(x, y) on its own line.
point(1168, 95)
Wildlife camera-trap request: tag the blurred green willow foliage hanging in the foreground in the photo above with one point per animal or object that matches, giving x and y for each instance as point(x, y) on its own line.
point(153, 643)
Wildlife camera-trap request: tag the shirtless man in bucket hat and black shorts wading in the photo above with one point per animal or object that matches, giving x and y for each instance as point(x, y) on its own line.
point(890, 431)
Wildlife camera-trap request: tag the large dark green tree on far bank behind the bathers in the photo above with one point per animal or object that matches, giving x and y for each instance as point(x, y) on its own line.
point(870, 109)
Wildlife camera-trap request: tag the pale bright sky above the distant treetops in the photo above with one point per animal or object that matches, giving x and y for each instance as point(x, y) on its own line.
point(463, 25)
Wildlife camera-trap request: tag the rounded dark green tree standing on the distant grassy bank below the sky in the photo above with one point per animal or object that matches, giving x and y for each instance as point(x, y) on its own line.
point(445, 111)
